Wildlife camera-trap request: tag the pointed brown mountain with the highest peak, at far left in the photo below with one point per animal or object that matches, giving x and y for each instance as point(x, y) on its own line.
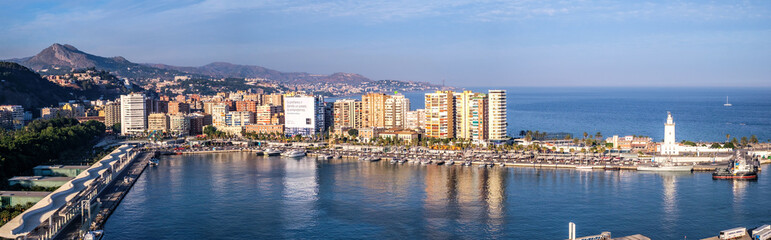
point(58, 59)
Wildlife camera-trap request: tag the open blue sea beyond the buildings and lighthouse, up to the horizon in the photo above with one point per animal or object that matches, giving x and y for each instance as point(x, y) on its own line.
point(698, 112)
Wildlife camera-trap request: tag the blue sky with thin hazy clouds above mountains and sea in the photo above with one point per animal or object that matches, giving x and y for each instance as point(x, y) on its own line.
point(466, 43)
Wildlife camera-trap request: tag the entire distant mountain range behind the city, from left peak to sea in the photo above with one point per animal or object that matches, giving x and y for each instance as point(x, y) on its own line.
point(63, 58)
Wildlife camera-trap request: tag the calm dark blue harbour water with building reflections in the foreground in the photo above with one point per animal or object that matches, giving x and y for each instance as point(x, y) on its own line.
point(243, 196)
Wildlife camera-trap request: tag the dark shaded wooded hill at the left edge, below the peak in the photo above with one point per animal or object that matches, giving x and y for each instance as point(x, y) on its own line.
point(21, 86)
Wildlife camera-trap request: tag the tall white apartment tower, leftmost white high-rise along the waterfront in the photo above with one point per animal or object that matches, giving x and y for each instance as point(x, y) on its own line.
point(133, 115)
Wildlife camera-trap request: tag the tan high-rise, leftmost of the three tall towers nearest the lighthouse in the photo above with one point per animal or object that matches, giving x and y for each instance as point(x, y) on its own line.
point(440, 115)
